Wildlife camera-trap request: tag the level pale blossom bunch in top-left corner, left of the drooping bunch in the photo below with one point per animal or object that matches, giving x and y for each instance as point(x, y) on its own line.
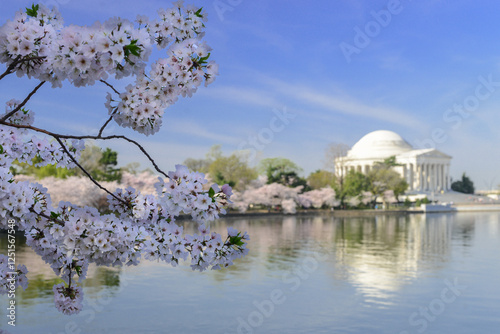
point(48, 51)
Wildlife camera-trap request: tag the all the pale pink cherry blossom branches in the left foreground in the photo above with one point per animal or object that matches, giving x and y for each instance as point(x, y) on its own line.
point(68, 237)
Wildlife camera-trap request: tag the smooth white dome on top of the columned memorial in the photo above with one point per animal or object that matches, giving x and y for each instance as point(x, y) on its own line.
point(379, 144)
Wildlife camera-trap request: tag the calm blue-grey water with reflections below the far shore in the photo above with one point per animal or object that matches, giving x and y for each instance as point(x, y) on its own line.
point(435, 273)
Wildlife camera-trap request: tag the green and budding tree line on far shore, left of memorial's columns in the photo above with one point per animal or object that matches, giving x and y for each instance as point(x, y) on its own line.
point(236, 171)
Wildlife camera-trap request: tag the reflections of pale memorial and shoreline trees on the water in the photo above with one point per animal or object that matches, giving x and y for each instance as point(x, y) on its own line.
point(377, 255)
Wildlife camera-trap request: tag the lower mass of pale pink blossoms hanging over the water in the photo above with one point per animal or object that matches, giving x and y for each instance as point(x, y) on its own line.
point(70, 237)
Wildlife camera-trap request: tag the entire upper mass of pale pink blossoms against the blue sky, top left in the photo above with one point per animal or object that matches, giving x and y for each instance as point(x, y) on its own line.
point(39, 46)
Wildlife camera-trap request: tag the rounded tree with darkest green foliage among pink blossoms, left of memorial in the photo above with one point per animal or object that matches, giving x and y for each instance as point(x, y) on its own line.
point(283, 171)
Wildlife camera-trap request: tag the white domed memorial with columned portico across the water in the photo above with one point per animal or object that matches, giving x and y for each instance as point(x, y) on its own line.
point(424, 169)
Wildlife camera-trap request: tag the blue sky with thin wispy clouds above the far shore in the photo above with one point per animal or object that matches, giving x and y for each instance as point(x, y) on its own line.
point(428, 70)
